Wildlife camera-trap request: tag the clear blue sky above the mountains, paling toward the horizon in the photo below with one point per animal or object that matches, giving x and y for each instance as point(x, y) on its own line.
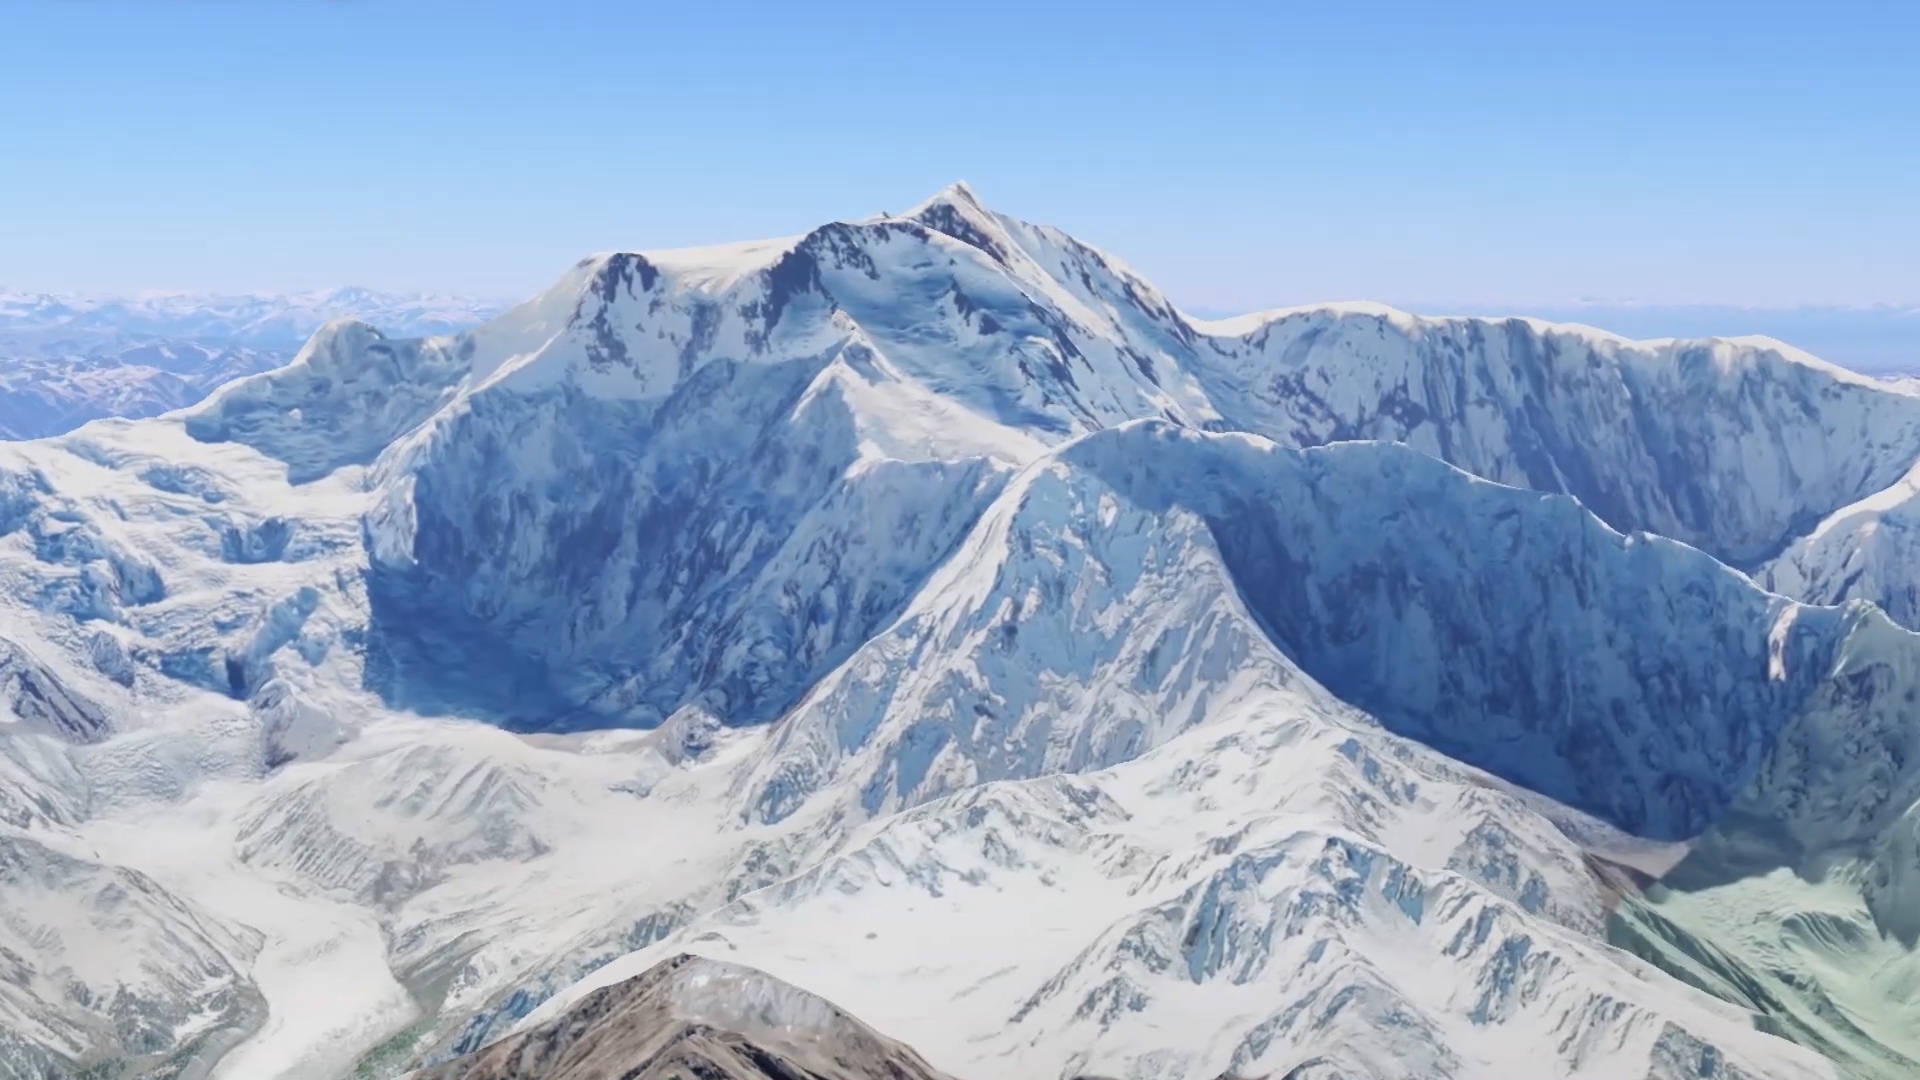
point(1241, 155)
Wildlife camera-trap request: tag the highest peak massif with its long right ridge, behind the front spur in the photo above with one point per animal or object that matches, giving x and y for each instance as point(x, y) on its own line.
point(661, 418)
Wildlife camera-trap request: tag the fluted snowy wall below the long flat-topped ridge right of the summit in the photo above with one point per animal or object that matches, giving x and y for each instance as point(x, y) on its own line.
point(1731, 447)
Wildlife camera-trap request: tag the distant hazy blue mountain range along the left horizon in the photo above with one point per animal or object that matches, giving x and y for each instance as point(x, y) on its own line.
point(68, 360)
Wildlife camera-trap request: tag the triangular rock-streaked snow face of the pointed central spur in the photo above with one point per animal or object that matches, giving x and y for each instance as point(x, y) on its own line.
point(1072, 631)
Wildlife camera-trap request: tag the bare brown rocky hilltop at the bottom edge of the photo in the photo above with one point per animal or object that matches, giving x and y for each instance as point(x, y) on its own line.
point(692, 1018)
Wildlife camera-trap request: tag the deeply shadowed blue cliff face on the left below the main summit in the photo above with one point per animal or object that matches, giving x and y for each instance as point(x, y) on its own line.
point(731, 547)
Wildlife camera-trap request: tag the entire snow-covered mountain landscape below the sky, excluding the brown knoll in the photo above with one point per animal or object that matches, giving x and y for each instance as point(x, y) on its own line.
point(930, 616)
